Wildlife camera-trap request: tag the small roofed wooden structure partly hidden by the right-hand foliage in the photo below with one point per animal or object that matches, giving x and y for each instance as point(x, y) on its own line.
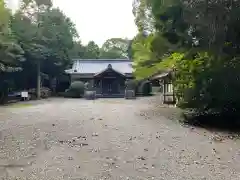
point(165, 80)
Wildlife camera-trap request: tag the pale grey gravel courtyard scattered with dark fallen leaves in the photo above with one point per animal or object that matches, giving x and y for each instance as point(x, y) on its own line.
point(113, 139)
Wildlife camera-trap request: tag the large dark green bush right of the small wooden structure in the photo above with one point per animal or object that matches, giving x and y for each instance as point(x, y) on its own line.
point(210, 87)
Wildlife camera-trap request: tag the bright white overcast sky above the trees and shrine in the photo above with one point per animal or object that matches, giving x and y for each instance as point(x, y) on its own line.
point(98, 20)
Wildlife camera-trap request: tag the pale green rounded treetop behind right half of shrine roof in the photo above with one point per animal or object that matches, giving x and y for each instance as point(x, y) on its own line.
point(115, 48)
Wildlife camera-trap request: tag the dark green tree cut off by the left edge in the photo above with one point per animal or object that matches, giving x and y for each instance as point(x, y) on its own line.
point(11, 54)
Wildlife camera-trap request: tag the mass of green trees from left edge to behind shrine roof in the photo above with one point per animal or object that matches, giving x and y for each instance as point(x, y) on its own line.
point(39, 39)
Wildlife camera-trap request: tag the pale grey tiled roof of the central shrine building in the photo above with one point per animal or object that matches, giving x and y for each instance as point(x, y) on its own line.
point(94, 66)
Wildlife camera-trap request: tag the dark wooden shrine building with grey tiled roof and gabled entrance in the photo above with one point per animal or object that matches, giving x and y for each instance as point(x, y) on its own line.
point(106, 76)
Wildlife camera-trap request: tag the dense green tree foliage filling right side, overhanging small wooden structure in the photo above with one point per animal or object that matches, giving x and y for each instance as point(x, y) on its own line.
point(199, 40)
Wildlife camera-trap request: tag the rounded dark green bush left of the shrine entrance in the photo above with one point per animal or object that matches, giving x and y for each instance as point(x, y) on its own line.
point(76, 90)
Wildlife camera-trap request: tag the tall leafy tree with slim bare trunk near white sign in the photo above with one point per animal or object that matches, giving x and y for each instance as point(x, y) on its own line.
point(46, 35)
